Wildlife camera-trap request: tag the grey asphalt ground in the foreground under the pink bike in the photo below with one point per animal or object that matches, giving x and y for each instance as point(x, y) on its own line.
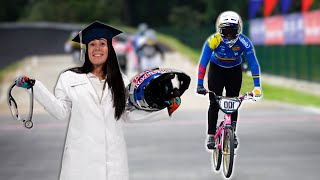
point(276, 142)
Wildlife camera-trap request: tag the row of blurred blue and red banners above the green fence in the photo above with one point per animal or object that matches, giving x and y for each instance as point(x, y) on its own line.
point(296, 28)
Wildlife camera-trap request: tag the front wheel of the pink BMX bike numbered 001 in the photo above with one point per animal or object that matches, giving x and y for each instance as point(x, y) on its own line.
point(228, 152)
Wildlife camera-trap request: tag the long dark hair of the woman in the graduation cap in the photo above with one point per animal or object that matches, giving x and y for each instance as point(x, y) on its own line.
point(114, 78)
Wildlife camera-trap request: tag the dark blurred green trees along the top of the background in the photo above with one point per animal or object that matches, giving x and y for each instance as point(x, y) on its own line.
point(128, 12)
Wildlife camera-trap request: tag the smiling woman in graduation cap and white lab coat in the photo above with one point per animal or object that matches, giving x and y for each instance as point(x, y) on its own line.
point(93, 97)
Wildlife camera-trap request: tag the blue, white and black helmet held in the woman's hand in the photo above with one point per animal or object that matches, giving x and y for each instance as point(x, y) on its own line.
point(150, 89)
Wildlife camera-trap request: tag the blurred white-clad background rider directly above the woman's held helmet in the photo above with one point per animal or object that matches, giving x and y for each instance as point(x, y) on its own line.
point(150, 53)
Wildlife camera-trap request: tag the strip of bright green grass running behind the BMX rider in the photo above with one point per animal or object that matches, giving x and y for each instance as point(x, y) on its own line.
point(270, 92)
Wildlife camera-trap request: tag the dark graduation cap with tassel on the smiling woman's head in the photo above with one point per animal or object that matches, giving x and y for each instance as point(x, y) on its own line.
point(96, 30)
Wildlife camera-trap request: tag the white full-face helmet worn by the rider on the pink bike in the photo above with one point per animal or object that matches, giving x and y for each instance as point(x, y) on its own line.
point(229, 25)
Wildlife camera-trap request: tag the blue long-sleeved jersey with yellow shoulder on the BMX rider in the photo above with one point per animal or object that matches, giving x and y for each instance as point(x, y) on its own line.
point(216, 51)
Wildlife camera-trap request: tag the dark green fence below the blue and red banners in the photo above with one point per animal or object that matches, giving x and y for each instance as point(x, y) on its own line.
point(294, 61)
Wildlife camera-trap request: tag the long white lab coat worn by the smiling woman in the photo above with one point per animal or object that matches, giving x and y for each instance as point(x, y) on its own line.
point(95, 148)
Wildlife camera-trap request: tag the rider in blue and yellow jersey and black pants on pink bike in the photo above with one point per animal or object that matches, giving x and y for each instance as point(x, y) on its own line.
point(224, 49)
